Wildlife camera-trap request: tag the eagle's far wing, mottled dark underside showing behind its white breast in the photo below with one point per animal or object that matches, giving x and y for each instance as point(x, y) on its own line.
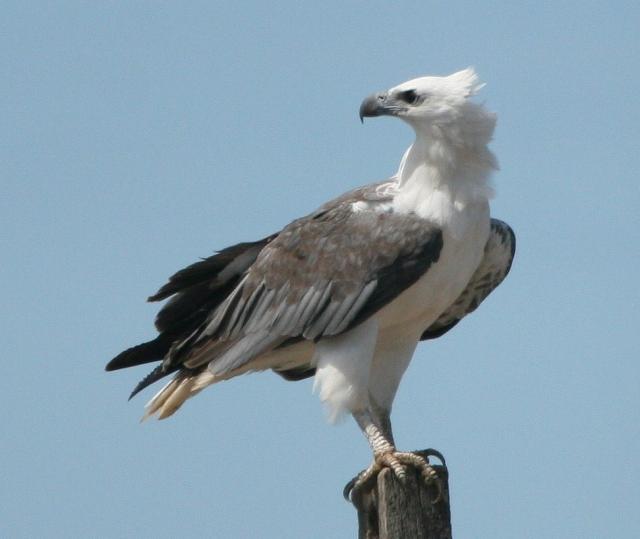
point(494, 267)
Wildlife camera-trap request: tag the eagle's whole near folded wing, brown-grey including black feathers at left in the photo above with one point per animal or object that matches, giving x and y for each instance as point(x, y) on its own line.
point(322, 275)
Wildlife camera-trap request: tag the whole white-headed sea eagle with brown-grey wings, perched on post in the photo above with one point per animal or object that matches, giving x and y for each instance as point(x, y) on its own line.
point(347, 292)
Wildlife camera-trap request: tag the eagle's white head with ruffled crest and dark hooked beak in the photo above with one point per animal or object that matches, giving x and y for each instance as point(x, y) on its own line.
point(436, 106)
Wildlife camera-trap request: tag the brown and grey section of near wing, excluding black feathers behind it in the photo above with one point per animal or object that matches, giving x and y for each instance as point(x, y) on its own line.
point(321, 276)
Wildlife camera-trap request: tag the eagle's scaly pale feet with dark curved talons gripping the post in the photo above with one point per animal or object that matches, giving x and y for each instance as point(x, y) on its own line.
point(396, 461)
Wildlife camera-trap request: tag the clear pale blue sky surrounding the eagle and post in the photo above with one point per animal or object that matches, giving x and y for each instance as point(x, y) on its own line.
point(139, 136)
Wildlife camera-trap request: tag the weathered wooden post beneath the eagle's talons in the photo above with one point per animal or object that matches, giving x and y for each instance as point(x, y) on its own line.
point(392, 510)
